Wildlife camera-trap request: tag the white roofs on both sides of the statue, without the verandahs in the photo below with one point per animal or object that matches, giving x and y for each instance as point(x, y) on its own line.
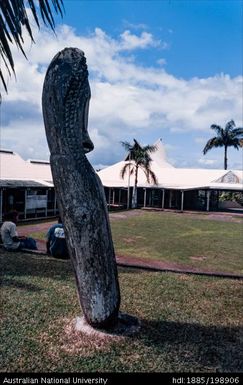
point(16, 172)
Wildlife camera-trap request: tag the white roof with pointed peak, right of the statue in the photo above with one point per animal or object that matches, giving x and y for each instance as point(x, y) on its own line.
point(173, 178)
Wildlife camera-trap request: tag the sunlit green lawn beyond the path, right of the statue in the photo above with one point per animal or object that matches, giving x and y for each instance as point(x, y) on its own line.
point(181, 238)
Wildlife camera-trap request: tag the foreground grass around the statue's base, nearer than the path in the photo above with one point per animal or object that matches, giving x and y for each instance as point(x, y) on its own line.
point(189, 323)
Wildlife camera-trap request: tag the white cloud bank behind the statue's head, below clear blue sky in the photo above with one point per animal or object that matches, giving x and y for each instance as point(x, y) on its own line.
point(128, 99)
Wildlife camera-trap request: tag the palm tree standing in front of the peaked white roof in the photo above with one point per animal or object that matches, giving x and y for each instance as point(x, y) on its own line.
point(138, 157)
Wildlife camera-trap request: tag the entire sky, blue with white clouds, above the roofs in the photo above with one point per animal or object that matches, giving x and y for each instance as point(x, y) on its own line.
point(158, 69)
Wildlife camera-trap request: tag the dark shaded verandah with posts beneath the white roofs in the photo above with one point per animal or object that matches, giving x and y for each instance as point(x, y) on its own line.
point(40, 202)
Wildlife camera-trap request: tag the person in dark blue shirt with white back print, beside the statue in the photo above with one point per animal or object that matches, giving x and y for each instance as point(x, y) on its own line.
point(56, 242)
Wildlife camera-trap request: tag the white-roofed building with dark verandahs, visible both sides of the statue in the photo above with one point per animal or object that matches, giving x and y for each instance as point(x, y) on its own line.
point(27, 186)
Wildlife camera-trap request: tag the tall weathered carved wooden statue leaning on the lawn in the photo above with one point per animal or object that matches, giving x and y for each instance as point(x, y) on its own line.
point(81, 199)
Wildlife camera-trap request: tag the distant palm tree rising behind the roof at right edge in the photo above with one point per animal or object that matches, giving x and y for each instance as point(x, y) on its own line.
point(229, 136)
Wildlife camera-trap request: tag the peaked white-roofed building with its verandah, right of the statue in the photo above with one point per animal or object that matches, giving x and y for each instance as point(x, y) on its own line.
point(178, 188)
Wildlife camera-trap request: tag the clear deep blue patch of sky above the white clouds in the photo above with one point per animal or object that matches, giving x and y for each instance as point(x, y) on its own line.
point(203, 37)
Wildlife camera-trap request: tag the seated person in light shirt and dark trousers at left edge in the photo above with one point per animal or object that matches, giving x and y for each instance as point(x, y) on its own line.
point(11, 240)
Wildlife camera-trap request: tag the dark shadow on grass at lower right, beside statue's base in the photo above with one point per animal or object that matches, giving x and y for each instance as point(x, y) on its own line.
point(206, 348)
